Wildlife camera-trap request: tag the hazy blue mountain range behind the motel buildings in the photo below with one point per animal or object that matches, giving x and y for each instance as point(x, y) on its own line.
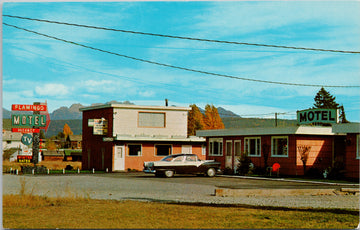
point(73, 117)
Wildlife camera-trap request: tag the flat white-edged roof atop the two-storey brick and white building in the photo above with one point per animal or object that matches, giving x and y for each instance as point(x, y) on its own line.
point(127, 106)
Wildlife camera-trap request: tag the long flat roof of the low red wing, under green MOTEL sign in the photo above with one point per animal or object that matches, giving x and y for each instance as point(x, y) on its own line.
point(300, 130)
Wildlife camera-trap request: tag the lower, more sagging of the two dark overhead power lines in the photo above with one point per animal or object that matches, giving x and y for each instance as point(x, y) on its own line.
point(178, 67)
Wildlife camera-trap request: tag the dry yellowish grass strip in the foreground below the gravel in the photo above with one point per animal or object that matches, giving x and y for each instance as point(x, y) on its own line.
point(22, 211)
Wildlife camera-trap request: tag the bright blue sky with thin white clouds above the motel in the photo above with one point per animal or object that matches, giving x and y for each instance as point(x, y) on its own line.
point(37, 68)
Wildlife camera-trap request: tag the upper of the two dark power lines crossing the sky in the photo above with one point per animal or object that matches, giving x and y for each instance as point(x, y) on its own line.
point(182, 37)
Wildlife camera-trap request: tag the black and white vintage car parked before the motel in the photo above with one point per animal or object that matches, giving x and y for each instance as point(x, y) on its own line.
point(182, 164)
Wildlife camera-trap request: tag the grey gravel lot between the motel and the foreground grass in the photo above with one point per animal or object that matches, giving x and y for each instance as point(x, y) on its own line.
point(187, 189)
